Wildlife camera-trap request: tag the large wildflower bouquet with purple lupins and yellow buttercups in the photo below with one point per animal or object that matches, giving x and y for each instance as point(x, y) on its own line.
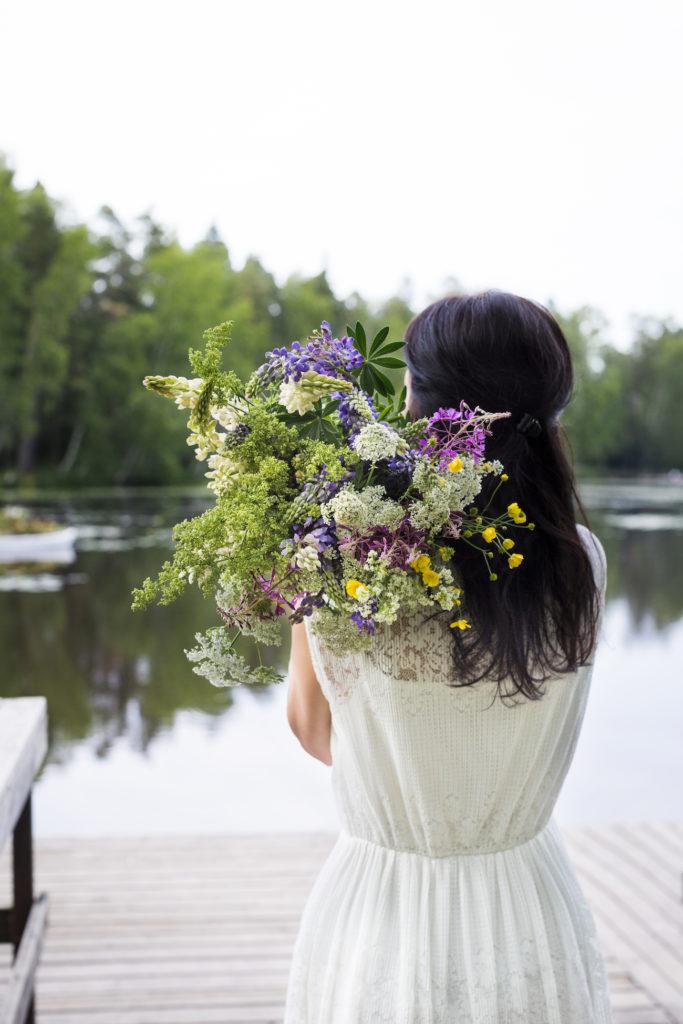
point(330, 501)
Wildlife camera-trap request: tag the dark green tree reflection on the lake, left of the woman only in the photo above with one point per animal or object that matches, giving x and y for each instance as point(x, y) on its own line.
point(70, 634)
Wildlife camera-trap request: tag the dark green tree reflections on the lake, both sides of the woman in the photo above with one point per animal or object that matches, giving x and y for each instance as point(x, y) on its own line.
point(68, 632)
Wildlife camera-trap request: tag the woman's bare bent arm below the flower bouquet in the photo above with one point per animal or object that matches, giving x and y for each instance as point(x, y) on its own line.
point(308, 709)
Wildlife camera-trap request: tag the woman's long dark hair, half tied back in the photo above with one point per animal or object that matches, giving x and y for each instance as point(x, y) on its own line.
point(504, 353)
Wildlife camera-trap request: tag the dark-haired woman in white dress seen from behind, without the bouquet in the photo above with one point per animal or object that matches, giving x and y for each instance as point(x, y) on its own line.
point(449, 898)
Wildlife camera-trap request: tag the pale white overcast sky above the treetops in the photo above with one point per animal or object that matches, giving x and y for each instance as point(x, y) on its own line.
point(530, 146)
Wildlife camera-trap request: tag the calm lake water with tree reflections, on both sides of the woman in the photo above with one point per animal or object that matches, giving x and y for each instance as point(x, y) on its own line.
point(141, 745)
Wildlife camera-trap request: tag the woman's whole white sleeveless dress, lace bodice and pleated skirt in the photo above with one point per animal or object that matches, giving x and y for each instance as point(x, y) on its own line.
point(449, 898)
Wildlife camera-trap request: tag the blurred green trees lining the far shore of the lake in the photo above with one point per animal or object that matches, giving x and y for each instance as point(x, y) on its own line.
point(86, 314)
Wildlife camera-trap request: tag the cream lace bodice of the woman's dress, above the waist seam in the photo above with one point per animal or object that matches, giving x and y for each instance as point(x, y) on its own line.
point(438, 770)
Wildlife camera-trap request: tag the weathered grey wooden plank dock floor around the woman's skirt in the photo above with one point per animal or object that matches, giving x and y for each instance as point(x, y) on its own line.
point(200, 930)
